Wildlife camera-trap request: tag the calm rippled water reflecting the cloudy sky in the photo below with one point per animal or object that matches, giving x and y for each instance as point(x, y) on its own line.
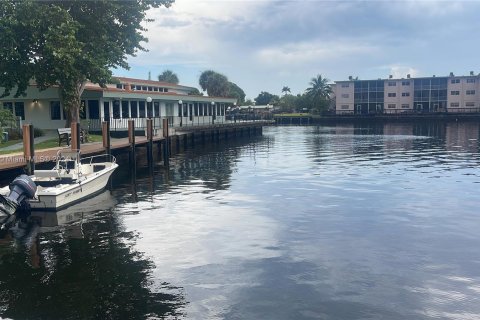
point(346, 222)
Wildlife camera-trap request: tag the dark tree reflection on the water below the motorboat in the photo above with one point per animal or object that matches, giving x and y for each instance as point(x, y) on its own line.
point(95, 276)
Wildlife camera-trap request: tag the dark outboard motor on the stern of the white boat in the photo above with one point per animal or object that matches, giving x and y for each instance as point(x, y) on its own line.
point(22, 188)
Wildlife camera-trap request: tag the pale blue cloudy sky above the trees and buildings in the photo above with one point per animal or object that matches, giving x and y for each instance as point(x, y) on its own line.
point(264, 45)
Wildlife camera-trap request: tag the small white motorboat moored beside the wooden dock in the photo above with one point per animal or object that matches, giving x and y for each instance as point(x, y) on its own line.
point(73, 179)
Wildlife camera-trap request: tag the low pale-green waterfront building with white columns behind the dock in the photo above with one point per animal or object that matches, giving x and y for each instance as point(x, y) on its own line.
point(127, 99)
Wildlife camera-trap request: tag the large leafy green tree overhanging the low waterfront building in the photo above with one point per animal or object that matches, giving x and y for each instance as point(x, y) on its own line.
point(67, 43)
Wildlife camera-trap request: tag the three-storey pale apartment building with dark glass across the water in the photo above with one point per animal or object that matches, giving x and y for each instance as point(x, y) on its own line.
point(452, 94)
